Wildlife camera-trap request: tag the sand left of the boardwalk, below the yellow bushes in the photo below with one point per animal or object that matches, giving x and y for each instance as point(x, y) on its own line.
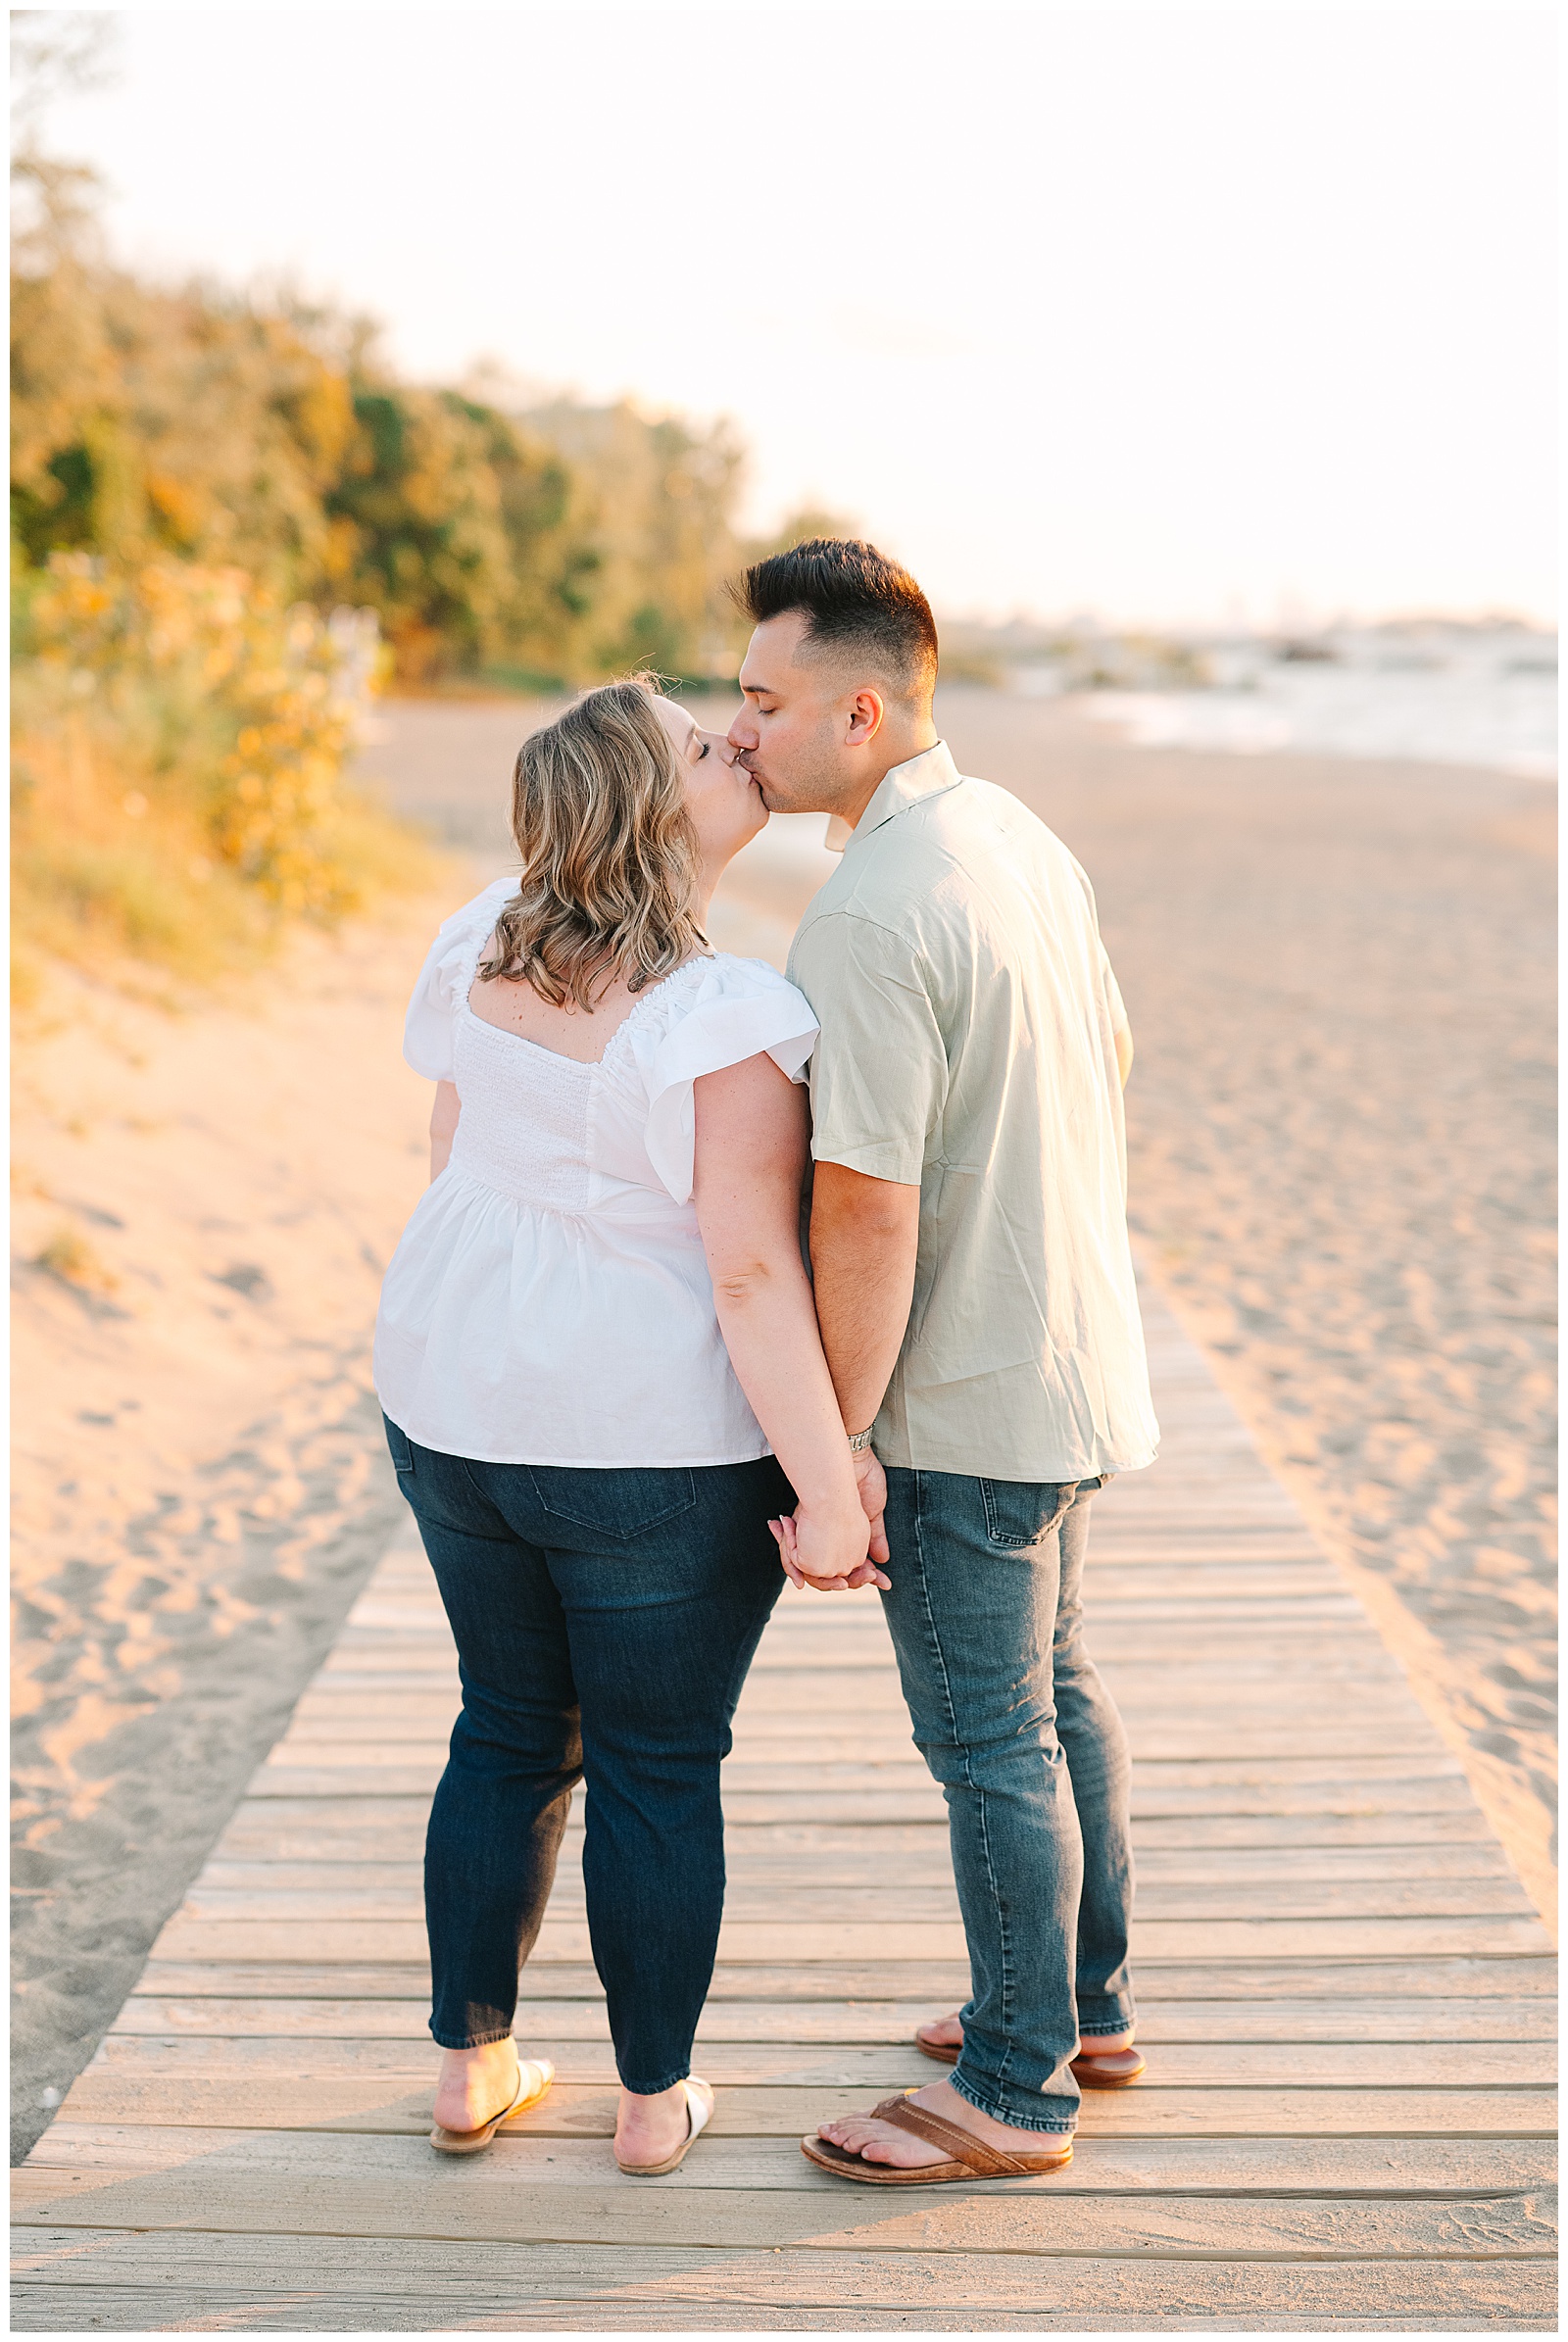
point(198, 1467)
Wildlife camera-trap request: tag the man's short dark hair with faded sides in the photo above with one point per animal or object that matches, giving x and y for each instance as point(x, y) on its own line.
point(854, 598)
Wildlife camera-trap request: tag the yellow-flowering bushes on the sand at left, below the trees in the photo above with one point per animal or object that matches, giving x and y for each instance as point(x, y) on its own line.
point(179, 769)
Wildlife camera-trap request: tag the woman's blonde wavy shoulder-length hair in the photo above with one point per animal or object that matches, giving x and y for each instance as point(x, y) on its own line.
point(611, 858)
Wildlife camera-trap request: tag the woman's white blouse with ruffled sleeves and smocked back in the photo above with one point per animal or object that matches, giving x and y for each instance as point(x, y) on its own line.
point(550, 1301)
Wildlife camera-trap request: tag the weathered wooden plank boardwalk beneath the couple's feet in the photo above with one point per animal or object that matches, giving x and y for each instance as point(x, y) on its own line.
point(1344, 1999)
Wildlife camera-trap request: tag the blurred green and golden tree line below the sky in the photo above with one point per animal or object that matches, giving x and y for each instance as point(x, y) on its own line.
point(200, 425)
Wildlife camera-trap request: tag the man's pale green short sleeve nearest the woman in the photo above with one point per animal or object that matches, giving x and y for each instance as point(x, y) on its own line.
point(880, 1067)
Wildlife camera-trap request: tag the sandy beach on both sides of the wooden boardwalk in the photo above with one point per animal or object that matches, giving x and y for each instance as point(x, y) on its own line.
point(1339, 980)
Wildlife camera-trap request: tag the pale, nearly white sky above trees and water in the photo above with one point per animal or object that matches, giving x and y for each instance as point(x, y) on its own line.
point(1171, 315)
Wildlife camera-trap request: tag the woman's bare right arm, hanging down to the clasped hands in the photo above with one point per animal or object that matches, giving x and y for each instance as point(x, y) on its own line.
point(751, 1156)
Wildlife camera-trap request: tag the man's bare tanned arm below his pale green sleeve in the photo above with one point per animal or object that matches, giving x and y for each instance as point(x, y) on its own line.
point(864, 1245)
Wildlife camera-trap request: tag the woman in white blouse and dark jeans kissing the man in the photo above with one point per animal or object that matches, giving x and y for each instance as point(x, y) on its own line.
point(604, 1383)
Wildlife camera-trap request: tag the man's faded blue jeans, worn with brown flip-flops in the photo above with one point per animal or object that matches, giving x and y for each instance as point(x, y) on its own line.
point(1032, 1758)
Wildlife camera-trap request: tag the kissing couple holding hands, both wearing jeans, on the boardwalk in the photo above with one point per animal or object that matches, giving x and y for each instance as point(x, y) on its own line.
point(618, 1399)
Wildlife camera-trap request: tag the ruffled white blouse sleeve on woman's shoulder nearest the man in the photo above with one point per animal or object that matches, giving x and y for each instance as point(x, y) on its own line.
point(742, 1008)
